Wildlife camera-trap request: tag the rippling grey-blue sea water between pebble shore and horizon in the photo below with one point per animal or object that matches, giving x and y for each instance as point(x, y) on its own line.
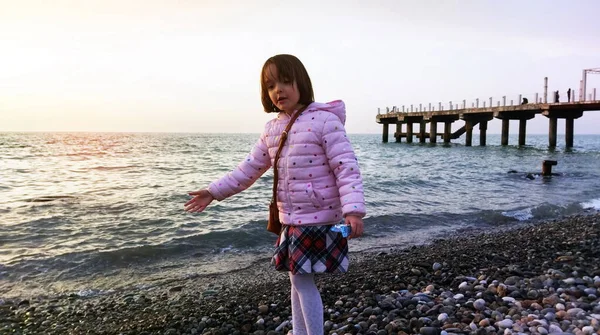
point(94, 213)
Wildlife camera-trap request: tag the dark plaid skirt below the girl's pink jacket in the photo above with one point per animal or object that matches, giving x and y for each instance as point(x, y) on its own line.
point(310, 249)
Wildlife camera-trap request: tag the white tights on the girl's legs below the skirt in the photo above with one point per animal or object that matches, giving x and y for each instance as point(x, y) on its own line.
point(307, 307)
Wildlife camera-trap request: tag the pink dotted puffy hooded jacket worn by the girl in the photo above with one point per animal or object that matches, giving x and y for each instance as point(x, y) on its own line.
point(319, 179)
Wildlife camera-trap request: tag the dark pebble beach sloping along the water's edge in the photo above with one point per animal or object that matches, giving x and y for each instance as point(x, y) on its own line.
point(542, 278)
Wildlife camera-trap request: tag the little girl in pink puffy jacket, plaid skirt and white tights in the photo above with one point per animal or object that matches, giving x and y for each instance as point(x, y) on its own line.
point(319, 184)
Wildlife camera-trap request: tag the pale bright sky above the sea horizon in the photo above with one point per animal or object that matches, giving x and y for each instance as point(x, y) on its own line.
point(194, 66)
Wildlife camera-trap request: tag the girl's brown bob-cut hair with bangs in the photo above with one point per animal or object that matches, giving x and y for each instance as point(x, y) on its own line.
point(291, 68)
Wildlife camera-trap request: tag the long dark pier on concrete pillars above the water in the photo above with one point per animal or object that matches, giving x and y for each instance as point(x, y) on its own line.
point(479, 114)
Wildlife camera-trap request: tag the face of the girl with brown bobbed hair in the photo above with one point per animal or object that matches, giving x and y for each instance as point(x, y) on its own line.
point(283, 91)
